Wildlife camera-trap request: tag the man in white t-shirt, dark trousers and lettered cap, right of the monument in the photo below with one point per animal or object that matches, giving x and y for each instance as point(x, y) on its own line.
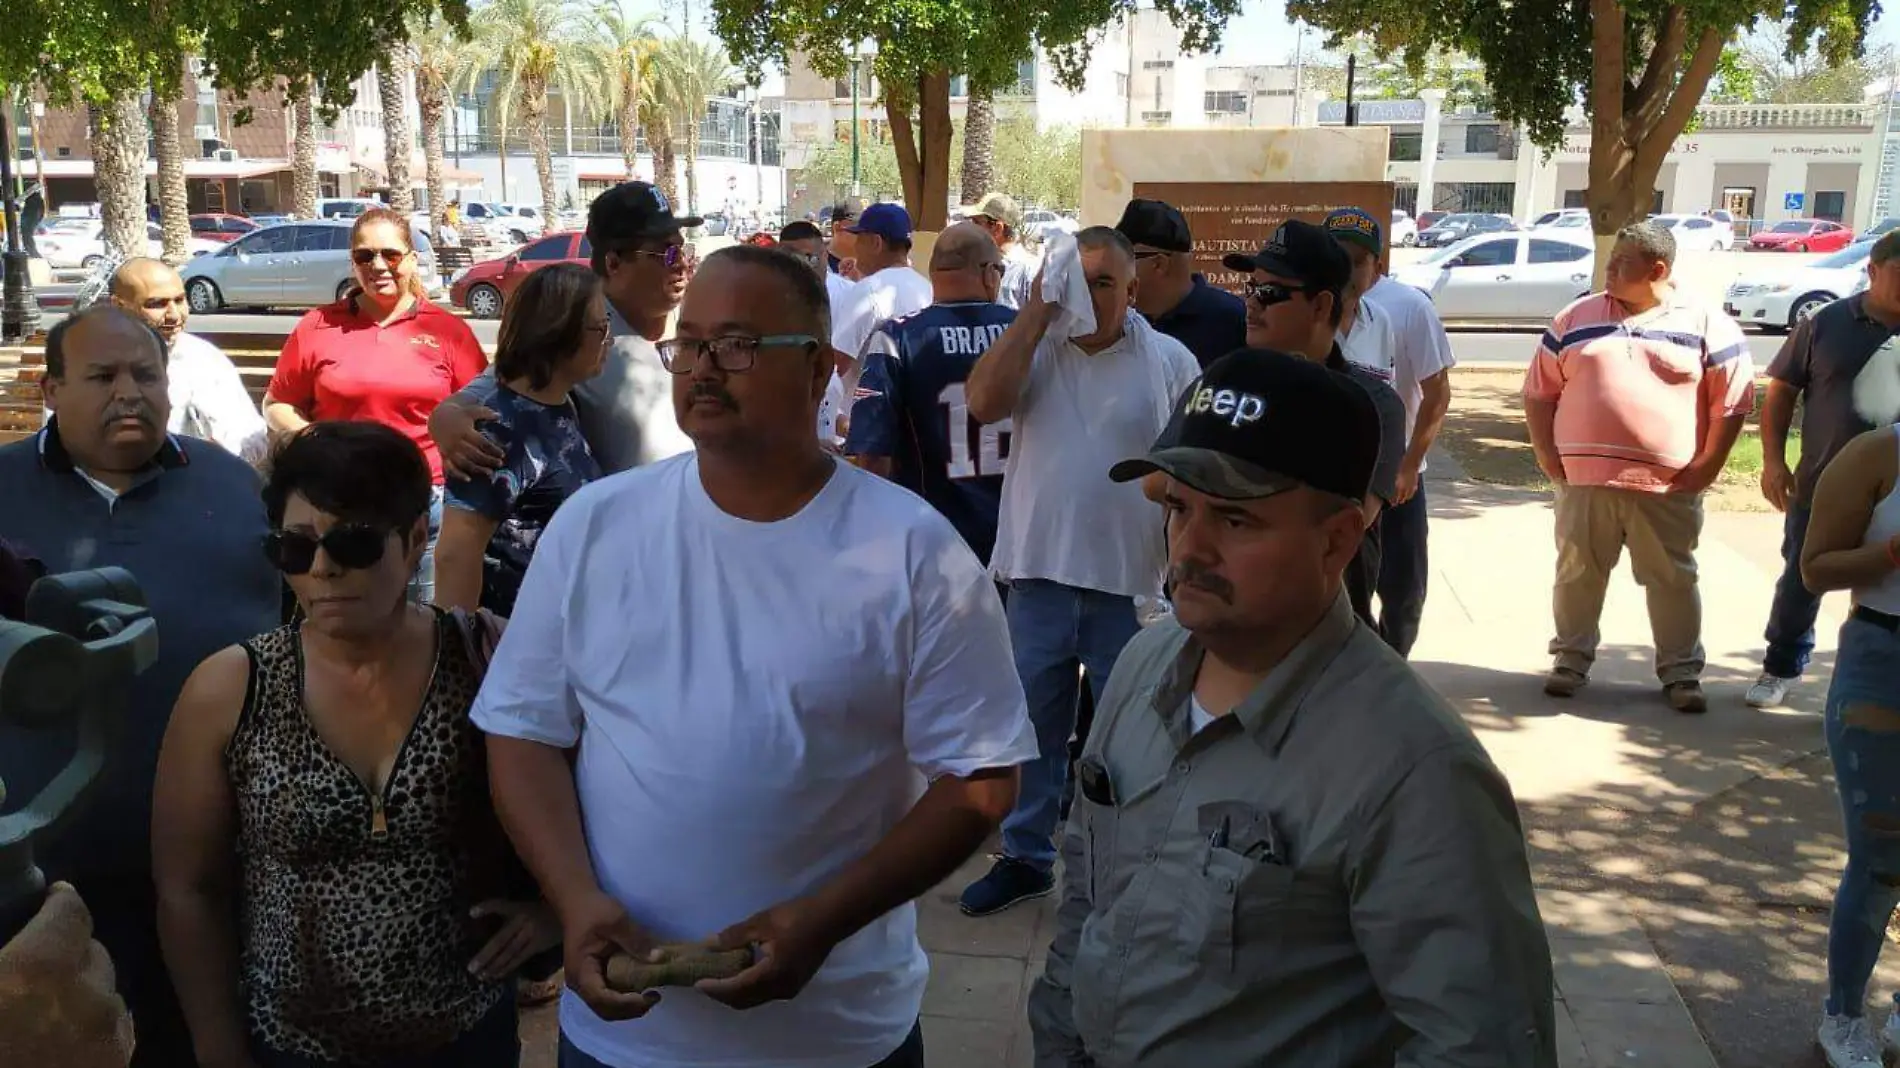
point(1415, 358)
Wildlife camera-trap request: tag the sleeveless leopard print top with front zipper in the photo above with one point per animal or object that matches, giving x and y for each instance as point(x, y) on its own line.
point(356, 921)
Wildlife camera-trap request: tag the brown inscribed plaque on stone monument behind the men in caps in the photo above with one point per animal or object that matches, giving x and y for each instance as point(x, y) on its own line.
point(1238, 218)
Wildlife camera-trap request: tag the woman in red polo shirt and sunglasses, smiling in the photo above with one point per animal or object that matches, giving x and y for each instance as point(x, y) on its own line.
point(381, 354)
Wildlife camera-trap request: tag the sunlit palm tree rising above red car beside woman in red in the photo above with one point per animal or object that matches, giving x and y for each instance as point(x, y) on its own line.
point(535, 47)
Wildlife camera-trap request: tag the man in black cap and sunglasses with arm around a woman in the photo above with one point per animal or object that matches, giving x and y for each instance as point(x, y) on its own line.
point(645, 261)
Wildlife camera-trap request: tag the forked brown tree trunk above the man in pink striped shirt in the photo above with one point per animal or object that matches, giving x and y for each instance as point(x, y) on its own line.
point(1633, 126)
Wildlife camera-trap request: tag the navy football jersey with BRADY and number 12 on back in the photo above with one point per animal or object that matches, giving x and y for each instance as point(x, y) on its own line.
point(909, 406)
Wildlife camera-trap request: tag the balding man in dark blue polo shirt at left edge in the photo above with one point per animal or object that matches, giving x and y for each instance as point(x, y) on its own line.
point(104, 486)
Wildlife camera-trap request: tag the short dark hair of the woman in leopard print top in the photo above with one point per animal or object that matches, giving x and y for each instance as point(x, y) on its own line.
point(360, 472)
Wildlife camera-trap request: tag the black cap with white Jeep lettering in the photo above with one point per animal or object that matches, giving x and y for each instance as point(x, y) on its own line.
point(1261, 423)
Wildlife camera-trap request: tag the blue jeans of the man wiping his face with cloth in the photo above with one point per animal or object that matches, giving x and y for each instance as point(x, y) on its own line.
point(1055, 628)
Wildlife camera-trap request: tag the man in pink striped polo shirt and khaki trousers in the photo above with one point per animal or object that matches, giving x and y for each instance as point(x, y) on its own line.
point(1633, 400)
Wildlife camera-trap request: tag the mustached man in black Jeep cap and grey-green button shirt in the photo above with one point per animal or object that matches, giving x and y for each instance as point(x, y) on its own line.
point(1285, 847)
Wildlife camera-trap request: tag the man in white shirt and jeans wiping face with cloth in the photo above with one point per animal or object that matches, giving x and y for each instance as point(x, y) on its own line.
point(1074, 546)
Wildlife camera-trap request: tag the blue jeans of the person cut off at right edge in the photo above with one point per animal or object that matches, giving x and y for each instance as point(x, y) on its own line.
point(1863, 727)
